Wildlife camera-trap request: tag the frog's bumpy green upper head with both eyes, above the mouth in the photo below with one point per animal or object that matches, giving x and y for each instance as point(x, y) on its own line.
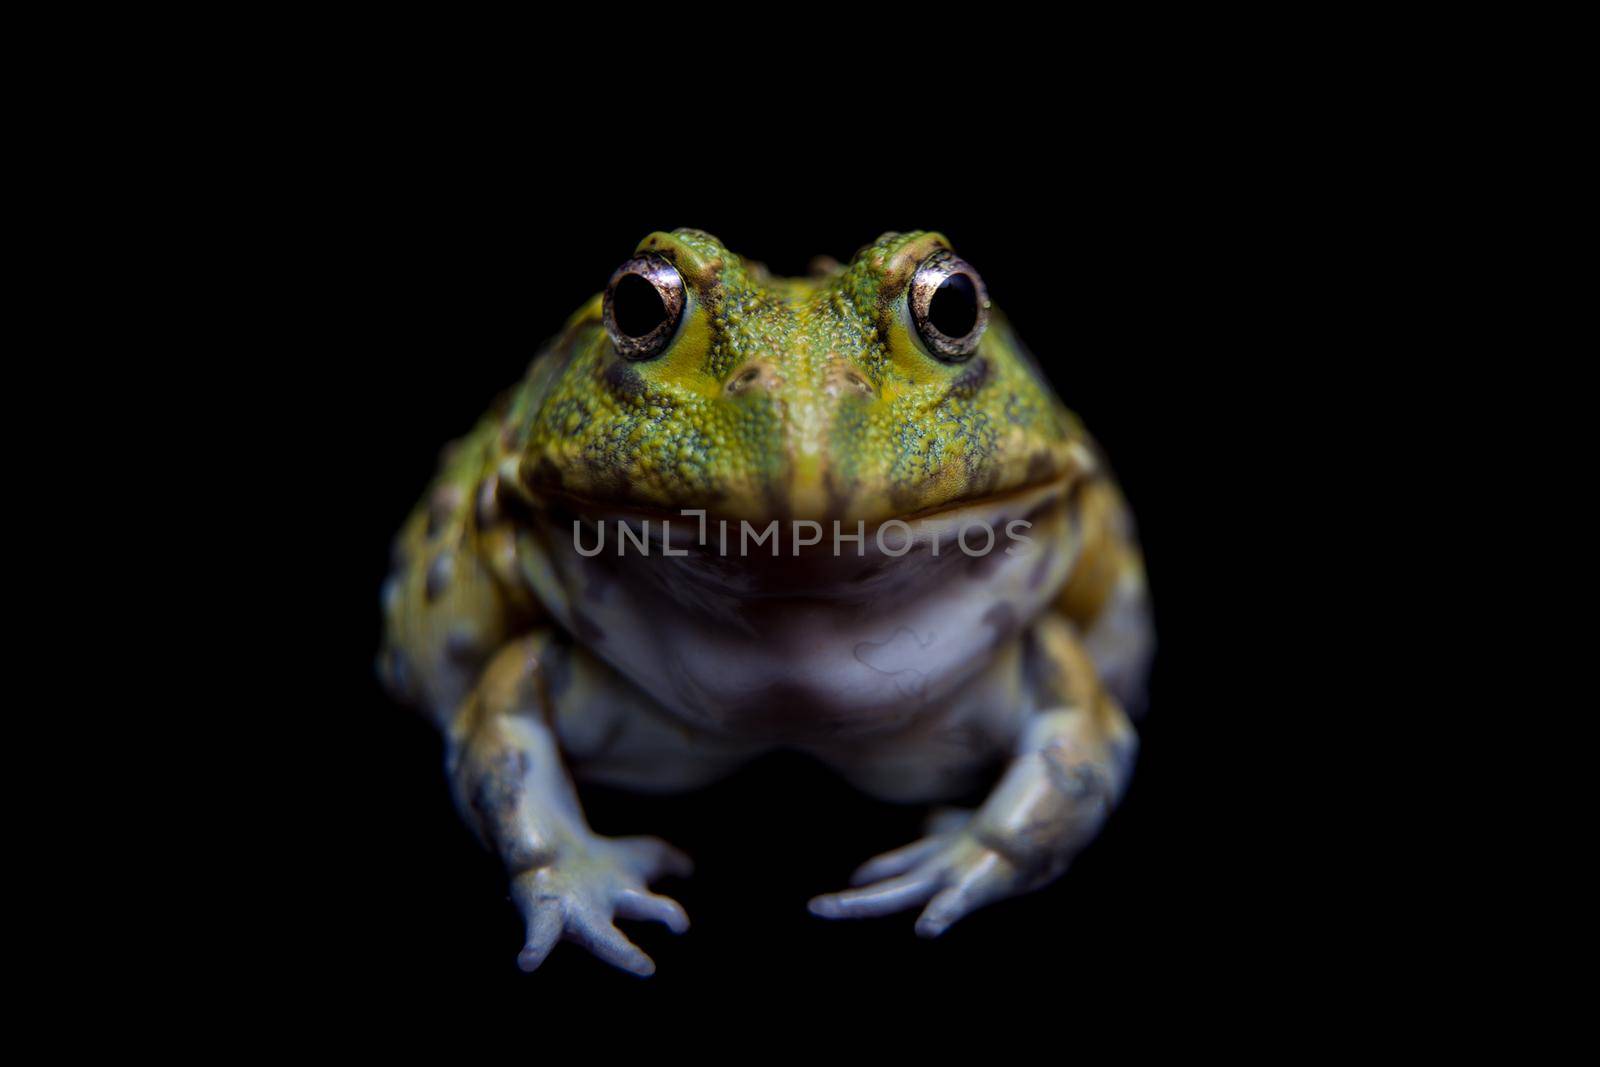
point(879, 390)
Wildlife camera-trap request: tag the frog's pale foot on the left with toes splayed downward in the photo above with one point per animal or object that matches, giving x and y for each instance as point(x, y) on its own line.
point(591, 884)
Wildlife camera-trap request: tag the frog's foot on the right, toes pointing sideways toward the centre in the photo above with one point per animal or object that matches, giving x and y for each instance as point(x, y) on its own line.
point(950, 871)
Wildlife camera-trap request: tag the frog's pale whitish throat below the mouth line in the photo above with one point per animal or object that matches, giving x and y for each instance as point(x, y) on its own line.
point(812, 647)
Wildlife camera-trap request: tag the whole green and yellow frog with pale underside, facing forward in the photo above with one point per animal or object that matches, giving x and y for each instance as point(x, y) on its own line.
point(799, 478)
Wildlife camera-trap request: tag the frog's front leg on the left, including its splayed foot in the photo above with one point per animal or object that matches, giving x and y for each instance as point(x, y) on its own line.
point(511, 785)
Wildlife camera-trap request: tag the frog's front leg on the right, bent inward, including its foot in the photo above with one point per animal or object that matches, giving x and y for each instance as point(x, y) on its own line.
point(1070, 769)
